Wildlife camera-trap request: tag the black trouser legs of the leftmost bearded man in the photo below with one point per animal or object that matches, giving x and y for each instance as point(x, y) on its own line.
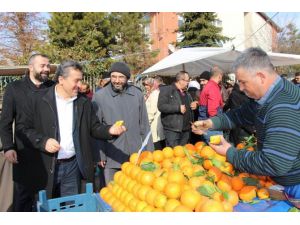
point(24, 200)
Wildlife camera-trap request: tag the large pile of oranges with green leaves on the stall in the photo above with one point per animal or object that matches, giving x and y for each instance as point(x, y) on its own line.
point(190, 178)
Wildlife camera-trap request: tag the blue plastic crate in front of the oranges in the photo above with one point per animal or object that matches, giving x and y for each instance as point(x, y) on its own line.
point(86, 202)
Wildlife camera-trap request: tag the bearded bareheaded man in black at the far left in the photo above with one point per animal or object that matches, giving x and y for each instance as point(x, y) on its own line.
point(16, 150)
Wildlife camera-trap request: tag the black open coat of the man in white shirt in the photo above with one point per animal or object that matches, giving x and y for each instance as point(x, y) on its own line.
point(40, 122)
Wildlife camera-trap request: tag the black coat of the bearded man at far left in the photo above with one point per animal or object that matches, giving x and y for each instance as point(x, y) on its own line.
point(15, 96)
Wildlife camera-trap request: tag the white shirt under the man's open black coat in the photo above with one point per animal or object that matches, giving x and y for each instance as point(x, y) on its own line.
point(65, 121)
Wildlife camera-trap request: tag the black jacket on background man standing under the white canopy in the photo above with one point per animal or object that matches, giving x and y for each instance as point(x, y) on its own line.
point(169, 102)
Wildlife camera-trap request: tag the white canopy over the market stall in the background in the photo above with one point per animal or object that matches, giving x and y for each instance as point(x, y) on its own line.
point(197, 60)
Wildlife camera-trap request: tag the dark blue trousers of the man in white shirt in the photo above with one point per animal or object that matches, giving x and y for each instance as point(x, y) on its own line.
point(67, 179)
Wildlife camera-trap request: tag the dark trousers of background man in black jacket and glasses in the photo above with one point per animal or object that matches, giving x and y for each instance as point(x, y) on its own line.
point(174, 138)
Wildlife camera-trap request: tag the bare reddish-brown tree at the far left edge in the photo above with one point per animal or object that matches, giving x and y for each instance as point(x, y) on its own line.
point(21, 33)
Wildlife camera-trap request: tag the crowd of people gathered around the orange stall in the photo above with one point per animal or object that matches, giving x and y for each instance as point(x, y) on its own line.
point(58, 133)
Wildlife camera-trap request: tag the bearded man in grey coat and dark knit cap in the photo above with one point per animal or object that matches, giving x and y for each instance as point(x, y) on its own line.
point(120, 101)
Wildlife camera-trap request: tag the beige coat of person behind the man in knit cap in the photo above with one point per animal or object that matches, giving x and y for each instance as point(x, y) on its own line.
point(154, 117)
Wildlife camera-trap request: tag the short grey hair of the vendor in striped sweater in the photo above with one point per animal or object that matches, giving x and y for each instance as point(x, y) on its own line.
point(253, 59)
